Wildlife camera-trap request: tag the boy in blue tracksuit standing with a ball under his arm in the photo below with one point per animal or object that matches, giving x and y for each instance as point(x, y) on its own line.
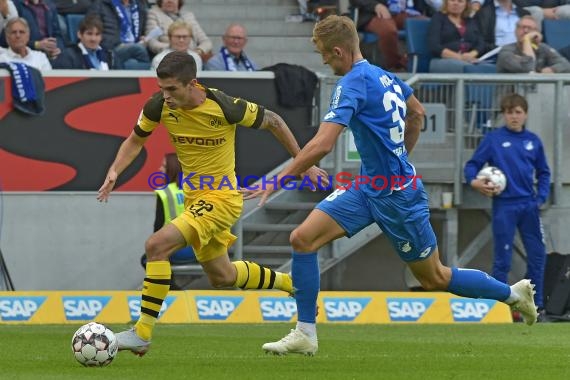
point(520, 155)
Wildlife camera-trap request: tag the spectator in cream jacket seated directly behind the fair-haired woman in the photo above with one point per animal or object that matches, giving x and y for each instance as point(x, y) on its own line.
point(164, 13)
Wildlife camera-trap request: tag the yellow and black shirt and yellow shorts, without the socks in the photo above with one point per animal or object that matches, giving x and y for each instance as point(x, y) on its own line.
point(204, 138)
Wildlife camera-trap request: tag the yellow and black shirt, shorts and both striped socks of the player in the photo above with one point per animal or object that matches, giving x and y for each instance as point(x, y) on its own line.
point(204, 138)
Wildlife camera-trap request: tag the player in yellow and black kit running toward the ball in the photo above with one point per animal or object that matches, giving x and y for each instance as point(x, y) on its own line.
point(201, 123)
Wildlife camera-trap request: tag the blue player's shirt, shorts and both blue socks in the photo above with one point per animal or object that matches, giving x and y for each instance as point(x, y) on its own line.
point(372, 103)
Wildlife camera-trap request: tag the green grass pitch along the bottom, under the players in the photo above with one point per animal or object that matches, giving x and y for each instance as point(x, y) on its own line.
point(226, 351)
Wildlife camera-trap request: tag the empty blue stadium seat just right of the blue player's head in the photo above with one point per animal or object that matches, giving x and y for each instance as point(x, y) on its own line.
point(419, 55)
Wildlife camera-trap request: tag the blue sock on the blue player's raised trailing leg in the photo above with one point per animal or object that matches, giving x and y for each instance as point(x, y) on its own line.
point(476, 284)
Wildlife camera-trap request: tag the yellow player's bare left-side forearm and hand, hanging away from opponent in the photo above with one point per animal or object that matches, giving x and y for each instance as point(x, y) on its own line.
point(128, 151)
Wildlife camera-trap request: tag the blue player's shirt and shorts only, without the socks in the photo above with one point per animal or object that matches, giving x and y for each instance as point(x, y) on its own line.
point(371, 102)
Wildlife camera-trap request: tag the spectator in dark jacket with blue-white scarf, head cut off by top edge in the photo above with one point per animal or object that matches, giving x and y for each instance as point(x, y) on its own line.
point(123, 28)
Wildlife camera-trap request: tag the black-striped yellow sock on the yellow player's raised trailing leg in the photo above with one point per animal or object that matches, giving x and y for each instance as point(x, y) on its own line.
point(251, 275)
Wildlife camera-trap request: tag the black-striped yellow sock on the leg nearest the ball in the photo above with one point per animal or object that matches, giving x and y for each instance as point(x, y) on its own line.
point(155, 288)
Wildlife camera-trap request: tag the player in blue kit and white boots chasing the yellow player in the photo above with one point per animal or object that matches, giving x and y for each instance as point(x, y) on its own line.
point(385, 119)
